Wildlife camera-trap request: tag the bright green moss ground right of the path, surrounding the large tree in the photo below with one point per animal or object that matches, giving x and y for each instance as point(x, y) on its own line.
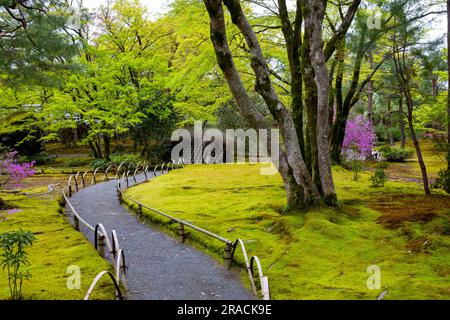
point(322, 254)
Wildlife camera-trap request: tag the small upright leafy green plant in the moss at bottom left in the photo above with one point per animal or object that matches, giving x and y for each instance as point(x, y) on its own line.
point(14, 258)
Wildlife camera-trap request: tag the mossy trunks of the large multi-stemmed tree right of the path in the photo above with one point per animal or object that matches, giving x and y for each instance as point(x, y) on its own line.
point(305, 164)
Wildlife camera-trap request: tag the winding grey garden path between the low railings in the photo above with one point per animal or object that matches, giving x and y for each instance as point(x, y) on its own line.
point(159, 266)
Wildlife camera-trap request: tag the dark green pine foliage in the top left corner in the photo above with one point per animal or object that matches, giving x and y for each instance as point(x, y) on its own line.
point(34, 44)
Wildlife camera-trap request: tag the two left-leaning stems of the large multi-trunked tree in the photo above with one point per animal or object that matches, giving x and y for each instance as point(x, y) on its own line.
point(300, 190)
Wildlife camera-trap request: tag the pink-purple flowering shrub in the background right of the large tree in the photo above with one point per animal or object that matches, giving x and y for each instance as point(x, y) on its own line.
point(359, 139)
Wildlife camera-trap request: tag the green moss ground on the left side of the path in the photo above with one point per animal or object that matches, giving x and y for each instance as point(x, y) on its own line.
point(57, 247)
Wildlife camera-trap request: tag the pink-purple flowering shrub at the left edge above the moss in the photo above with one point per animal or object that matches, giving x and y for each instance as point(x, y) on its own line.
point(12, 172)
